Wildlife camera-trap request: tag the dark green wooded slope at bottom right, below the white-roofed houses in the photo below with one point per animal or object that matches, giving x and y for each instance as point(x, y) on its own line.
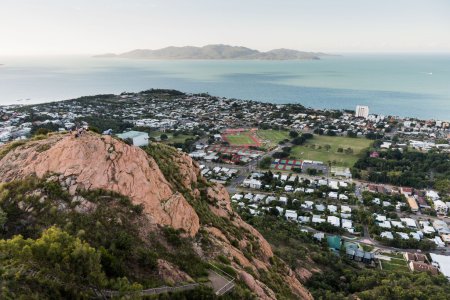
point(338, 278)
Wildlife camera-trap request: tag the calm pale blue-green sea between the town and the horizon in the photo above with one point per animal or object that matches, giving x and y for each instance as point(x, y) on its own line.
point(404, 85)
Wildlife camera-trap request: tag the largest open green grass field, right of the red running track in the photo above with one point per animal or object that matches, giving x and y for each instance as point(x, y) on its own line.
point(325, 148)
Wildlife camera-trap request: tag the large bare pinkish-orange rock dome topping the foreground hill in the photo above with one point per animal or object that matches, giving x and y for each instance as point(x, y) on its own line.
point(95, 162)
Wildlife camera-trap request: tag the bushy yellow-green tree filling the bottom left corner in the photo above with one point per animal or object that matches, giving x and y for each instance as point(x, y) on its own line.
point(57, 262)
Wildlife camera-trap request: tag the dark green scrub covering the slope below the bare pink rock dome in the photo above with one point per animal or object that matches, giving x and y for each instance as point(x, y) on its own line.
point(105, 246)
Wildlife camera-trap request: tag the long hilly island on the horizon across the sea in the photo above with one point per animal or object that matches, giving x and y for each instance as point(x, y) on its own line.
point(215, 52)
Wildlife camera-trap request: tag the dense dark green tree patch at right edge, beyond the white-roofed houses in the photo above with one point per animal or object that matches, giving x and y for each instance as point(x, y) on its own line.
point(408, 168)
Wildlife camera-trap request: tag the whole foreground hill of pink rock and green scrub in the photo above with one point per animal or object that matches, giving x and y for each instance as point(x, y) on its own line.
point(149, 216)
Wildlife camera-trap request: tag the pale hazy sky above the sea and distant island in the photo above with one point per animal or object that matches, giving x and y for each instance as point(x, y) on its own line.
point(99, 26)
